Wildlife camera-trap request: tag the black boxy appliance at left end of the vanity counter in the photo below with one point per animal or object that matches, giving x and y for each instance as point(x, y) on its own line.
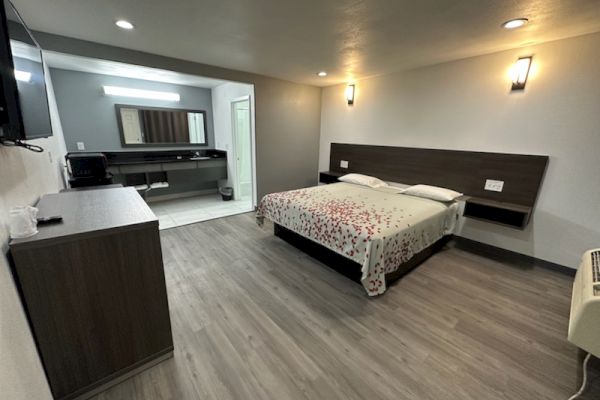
point(87, 169)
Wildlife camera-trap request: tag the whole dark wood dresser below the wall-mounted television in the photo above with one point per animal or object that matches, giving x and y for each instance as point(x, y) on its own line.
point(93, 287)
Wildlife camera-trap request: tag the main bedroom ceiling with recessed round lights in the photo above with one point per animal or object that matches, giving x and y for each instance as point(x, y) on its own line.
point(294, 39)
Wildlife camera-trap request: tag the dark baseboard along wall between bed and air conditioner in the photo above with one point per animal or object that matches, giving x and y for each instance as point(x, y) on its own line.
point(508, 256)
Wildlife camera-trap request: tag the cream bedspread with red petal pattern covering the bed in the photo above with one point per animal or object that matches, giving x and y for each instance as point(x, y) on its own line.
point(378, 228)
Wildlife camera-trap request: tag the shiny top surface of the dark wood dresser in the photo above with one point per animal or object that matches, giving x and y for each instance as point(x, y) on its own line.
point(88, 211)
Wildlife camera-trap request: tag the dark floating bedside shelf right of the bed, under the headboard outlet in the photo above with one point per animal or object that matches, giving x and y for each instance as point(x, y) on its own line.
point(497, 212)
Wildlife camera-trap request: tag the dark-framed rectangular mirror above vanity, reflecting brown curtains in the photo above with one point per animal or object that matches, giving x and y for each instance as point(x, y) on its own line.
point(148, 126)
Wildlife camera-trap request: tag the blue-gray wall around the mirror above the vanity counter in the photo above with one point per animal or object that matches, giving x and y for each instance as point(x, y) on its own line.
point(88, 116)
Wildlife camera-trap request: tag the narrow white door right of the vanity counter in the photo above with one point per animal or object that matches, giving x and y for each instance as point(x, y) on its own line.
point(242, 147)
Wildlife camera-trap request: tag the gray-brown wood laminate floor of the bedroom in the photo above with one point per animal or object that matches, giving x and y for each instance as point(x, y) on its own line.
point(255, 318)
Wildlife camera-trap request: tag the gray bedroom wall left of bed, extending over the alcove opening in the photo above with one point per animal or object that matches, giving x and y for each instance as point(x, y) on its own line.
point(288, 115)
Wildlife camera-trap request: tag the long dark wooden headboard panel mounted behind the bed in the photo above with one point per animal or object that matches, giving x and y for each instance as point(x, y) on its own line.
point(464, 171)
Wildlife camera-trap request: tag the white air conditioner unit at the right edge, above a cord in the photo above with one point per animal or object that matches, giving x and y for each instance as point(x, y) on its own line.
point(584, 323)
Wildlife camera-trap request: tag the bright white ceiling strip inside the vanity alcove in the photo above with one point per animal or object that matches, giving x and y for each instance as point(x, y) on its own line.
point(95, 66)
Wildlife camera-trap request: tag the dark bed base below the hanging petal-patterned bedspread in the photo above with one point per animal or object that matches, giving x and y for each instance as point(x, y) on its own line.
point(345, 266)
